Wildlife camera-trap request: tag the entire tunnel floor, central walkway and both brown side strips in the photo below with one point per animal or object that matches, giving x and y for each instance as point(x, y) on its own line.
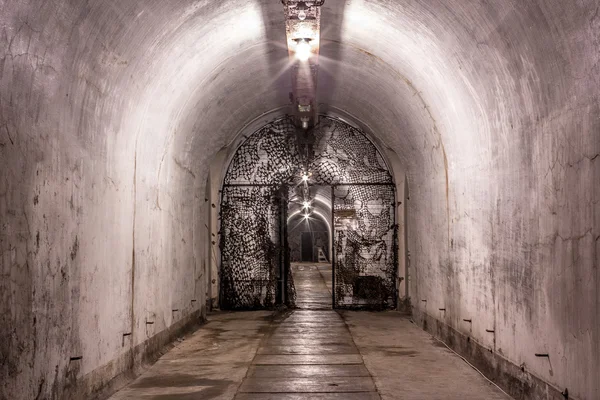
point(310, 353)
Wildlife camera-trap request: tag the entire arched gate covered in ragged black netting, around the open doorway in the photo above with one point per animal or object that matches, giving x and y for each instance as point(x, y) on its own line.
point(272, 175)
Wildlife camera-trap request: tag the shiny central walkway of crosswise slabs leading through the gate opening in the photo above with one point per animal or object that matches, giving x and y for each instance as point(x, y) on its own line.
point(288, 363)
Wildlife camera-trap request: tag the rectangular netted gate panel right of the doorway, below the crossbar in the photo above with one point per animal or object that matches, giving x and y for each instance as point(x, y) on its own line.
point(365, 248)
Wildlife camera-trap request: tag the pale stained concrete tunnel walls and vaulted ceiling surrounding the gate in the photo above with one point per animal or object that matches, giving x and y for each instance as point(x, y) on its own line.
point(118, 118)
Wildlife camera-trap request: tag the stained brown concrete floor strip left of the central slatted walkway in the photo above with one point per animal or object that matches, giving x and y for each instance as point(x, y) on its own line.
point(209, 364)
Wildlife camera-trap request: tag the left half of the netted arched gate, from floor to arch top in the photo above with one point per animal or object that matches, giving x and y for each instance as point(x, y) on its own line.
point(254, 258)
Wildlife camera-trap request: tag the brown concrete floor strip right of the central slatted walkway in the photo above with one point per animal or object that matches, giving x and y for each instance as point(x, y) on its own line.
point(407, 363)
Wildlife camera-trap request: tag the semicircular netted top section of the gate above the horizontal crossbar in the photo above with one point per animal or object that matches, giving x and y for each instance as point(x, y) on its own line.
point(334, 153)
